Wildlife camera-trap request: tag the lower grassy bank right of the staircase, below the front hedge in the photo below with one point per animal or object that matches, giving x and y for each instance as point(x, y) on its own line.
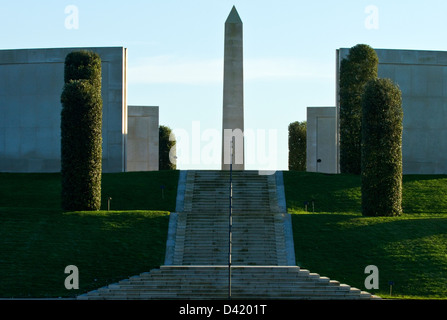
point(407, 250)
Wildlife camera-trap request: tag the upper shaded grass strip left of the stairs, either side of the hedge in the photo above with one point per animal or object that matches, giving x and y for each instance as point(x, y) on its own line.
point(152, 190)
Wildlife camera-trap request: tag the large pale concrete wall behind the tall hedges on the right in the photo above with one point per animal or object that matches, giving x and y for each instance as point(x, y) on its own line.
point(422, 78)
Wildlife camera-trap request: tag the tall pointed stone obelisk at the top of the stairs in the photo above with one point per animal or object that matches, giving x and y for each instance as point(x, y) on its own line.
point(233, 95)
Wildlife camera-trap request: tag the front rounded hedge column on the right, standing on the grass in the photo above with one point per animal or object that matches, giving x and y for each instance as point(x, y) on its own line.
point(382, 118)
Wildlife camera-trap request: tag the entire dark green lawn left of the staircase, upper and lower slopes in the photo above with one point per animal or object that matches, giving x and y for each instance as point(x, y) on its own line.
point(38, 240)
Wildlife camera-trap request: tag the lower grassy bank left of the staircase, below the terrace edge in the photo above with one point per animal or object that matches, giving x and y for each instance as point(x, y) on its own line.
point(105, 246)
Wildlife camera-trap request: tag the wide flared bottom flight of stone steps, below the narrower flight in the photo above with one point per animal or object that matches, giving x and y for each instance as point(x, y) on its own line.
point(211, 282)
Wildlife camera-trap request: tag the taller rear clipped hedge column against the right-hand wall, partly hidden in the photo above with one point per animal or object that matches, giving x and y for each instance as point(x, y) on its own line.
point(359, 67)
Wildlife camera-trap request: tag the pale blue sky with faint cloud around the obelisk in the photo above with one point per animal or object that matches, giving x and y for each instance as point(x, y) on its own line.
point(175, 52)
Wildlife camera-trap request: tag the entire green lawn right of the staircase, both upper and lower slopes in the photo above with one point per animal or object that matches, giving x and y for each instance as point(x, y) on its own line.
point(333, 239)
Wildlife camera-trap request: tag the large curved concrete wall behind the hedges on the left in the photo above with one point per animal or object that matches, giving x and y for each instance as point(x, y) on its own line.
point(31, 83)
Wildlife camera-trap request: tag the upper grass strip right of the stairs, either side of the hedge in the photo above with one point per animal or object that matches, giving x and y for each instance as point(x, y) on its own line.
point(342, 192)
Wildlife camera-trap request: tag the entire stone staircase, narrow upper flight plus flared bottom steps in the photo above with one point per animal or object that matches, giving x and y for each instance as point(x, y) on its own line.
point(263, 259)
